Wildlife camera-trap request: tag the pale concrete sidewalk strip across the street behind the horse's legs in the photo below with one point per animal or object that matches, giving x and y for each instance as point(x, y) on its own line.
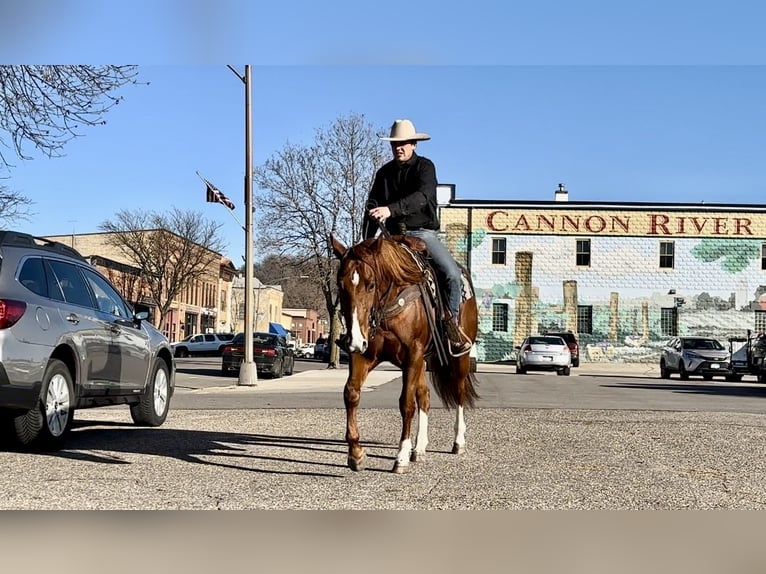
point(324, 379)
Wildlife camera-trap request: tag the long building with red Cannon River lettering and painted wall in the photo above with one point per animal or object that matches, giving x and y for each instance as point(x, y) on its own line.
point(624, 277)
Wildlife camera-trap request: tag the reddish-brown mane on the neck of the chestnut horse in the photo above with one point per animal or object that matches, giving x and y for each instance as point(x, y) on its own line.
point(390, 258)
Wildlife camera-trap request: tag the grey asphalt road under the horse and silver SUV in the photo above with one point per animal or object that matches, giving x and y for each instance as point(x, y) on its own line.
point(535, 442)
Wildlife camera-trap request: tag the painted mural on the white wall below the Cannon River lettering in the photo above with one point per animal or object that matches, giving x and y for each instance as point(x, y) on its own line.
point(714, 286)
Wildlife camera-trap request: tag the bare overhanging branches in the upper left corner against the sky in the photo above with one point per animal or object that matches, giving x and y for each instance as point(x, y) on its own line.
point(47, 106)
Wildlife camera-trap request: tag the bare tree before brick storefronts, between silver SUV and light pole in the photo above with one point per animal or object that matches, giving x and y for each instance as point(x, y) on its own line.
point(173, 250)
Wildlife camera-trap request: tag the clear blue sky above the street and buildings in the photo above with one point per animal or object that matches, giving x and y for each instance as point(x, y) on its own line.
point(651, 101)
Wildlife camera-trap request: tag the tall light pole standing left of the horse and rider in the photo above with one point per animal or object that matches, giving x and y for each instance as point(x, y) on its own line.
point(248, 374)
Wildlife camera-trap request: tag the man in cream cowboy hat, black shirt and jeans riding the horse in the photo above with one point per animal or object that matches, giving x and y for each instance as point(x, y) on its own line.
point(403, 200)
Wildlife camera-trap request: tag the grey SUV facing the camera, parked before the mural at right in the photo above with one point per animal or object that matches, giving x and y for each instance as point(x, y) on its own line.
point(699, 356)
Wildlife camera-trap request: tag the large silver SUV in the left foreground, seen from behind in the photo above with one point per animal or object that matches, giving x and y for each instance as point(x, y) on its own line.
point(68, 340)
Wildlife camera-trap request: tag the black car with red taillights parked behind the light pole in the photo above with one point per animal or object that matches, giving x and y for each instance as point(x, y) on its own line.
point(271, 355)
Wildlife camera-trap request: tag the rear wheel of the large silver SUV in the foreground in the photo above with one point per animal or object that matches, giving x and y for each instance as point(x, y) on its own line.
point(46, 426)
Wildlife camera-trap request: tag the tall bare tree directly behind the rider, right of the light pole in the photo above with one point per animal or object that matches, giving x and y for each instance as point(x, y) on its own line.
point(307, 193)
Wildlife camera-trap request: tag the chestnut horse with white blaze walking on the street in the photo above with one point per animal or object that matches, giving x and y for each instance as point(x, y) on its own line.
point(387, 319)
